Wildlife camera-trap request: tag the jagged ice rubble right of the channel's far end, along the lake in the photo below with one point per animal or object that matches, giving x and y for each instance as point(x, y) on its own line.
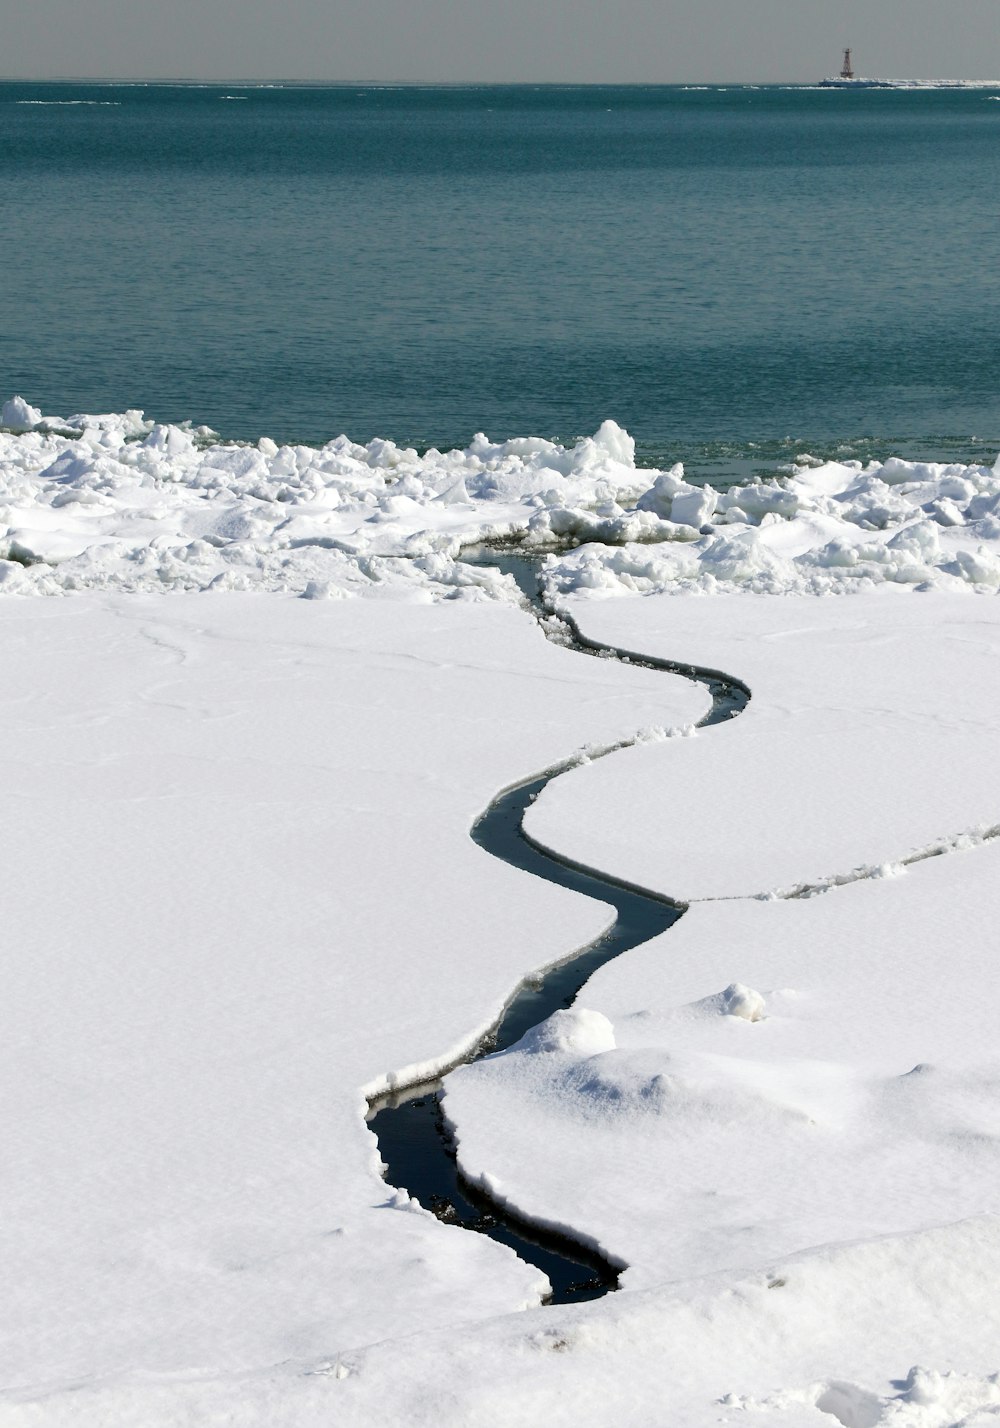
point(832, 528)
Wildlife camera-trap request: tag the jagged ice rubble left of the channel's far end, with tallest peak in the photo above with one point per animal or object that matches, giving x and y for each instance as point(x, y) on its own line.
point(115, 502)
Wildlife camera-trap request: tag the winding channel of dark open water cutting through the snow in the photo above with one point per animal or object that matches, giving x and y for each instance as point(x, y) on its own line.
point(414, 1139)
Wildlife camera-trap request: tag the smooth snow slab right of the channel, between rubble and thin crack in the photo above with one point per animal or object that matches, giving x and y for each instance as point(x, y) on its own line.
point(871, 736)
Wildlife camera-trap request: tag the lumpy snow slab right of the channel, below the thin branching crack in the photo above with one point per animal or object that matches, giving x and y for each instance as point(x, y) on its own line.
point(862, 1100)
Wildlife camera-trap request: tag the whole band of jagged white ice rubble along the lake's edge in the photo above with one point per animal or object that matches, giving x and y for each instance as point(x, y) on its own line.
point(115, 502)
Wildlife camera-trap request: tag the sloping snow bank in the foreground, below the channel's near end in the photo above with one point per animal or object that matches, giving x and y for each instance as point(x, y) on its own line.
point(694, 1354)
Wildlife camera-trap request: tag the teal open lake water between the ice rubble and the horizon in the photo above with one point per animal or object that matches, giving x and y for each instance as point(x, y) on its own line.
point(731, 273)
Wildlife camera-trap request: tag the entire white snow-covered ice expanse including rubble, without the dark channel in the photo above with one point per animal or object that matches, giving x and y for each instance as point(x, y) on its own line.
point(241, 897)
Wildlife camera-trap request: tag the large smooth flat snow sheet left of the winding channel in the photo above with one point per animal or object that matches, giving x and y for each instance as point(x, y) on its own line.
point(239, 890)
